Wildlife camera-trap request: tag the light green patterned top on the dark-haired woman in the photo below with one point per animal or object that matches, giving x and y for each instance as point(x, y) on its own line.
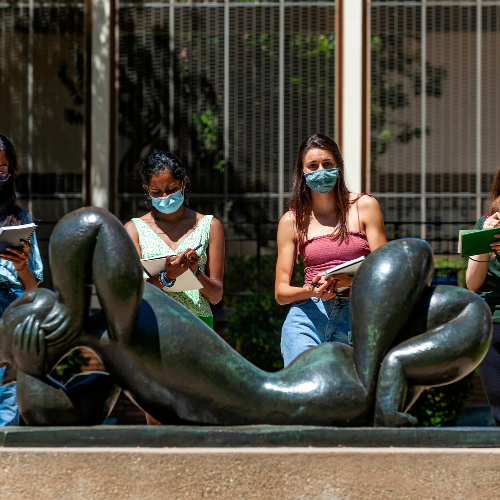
point(153, 246)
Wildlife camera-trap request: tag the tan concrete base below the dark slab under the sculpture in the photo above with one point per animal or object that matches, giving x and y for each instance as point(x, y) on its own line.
point(248, 473)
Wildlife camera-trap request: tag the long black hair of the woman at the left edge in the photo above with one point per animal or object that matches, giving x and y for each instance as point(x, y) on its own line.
point(9, 209)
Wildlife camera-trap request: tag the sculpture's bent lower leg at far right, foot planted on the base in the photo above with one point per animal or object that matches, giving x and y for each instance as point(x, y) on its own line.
point(440, 356)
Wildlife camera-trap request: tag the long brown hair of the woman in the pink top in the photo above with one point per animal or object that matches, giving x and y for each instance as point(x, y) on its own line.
point(300, 198)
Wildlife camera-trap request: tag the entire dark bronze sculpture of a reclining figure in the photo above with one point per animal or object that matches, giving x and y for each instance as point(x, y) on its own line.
point(407, 336)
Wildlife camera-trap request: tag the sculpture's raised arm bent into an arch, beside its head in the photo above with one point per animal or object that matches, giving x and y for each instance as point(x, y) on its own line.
point(91, 245)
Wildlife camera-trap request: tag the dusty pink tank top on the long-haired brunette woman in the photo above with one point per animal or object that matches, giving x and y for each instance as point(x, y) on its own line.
point(322, 253)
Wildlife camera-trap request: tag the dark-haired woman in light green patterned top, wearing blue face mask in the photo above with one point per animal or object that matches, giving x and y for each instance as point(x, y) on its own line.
point(193, 240)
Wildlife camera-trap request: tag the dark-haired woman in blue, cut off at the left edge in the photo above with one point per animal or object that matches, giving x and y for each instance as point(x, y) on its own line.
point(20, 270)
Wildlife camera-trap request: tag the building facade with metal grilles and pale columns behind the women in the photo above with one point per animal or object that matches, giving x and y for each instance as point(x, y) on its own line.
point(407, 88)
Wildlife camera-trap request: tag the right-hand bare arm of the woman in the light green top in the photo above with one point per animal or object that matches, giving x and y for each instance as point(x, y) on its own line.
point(213, 277)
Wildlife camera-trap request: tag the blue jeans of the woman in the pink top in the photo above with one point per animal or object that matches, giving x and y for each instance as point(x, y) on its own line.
point(312, 322)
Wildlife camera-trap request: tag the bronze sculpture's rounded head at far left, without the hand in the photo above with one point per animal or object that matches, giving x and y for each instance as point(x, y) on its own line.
point(42, 304)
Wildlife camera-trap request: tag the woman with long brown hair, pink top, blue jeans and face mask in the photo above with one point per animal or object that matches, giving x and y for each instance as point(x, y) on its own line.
point(326, 225)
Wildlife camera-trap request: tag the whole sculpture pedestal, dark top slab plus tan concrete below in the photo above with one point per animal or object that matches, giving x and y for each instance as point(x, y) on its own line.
point(105, 465)
